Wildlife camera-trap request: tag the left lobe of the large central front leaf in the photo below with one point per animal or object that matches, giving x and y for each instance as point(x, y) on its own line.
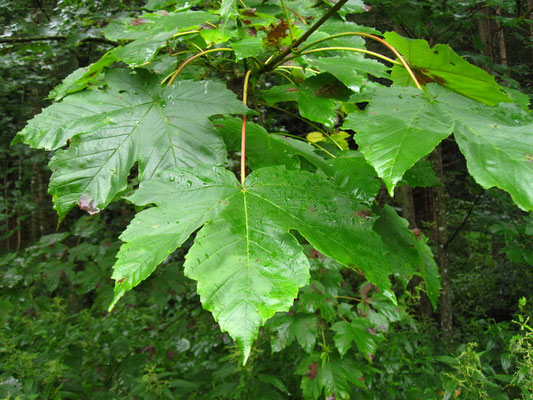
point(156, 232)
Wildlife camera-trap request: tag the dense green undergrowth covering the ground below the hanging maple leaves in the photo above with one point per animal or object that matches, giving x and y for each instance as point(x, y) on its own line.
point(58, 342)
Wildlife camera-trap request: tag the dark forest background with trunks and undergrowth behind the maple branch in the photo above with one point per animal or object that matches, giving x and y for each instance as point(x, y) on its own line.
point(57, 341)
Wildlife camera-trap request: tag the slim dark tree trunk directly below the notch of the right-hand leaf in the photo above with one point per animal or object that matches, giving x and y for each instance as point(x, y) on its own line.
point(439, 235)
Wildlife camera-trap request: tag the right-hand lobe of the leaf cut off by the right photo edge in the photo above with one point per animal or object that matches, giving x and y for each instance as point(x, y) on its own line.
point(497, 143)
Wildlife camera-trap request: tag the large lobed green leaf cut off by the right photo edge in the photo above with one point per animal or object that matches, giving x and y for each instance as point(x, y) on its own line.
point(402, 125)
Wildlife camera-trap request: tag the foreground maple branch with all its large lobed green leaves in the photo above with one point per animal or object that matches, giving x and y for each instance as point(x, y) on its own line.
point(145, 103)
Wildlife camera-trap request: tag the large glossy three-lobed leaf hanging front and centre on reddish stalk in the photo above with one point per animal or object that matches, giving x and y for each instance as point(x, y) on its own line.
point(247, 263)
